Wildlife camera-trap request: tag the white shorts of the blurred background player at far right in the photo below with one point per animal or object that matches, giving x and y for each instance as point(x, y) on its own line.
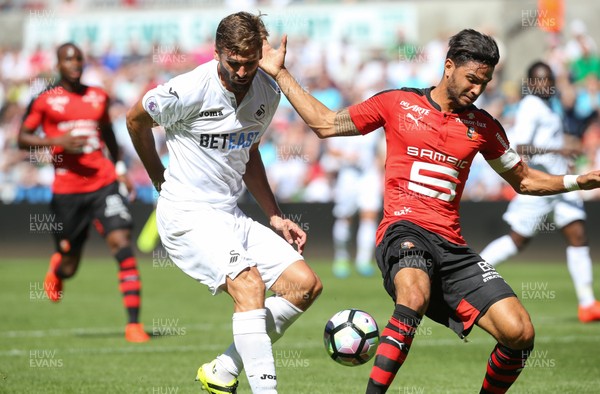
point(528, 215)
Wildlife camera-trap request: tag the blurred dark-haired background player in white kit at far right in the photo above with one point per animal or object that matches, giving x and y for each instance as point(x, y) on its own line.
point(539, 136)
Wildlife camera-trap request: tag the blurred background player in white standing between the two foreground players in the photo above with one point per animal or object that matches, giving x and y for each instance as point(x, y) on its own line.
point(358, 189)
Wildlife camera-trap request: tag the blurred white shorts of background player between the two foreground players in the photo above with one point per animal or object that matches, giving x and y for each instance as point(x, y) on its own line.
point(356, 190)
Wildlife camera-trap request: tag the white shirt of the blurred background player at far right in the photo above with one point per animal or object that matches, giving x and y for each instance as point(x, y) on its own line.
point(538, 125)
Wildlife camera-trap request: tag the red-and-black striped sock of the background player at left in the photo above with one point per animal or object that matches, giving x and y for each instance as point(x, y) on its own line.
point(129, 282)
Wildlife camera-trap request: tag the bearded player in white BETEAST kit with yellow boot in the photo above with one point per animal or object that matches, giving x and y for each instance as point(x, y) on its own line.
point(214, 117)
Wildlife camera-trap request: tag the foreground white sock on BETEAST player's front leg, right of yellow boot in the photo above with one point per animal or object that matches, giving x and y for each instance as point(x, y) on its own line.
point(254, 346)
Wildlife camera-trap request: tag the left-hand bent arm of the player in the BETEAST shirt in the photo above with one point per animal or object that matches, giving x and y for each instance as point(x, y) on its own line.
point(139, 125)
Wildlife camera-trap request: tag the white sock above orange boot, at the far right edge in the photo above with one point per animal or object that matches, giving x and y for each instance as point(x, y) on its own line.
point(580, 268)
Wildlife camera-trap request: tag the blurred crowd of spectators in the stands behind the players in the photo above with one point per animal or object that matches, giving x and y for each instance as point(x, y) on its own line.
point(338, 74)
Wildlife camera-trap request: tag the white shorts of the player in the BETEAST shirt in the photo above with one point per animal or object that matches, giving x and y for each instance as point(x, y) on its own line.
point(209, 244)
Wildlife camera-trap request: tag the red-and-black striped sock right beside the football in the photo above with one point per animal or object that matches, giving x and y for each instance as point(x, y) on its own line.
point(394, 344)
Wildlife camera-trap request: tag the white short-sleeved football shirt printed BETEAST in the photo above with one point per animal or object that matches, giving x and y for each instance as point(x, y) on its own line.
point(208, 135)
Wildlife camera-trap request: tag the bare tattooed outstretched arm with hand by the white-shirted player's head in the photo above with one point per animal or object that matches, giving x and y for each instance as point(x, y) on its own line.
point(323, 121)
